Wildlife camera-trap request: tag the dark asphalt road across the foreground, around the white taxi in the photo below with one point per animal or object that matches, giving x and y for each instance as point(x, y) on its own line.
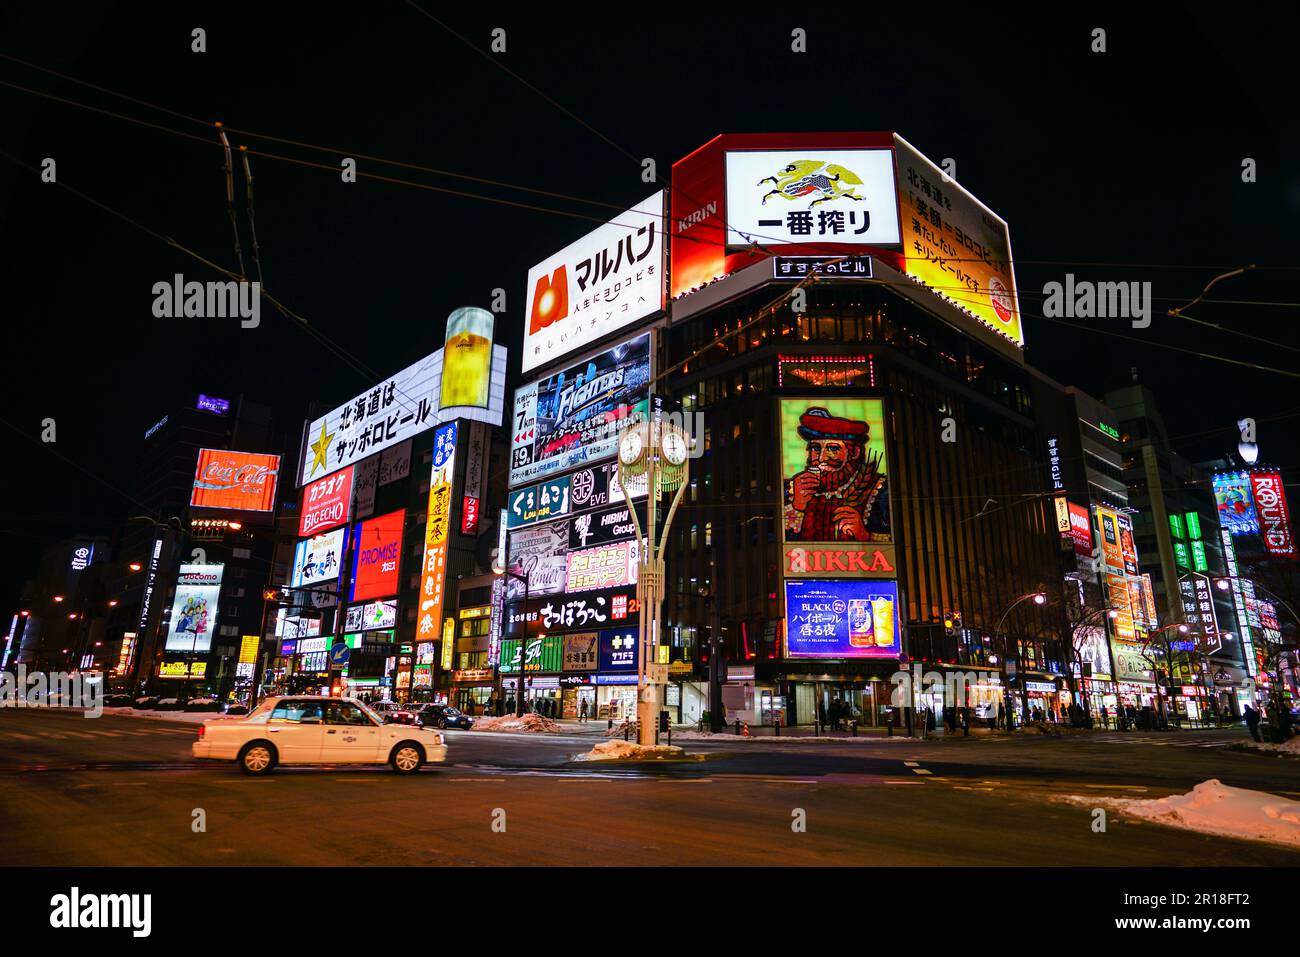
point(124, 791)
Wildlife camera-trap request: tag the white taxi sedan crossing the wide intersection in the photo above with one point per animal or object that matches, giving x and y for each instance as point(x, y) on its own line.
point(317, 730)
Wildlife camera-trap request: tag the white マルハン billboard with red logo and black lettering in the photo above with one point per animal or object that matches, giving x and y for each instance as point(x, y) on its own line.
point(605, 282)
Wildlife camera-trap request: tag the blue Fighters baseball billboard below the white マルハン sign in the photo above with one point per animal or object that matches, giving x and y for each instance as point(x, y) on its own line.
point(574, 418)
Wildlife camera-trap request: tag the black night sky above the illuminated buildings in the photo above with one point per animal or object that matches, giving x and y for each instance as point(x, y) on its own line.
point(1130, 159)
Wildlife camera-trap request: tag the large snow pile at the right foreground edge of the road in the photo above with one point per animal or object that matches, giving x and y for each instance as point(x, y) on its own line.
point(1215, 808)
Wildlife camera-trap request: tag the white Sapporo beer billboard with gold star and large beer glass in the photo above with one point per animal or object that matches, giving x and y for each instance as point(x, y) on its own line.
point(413, 401)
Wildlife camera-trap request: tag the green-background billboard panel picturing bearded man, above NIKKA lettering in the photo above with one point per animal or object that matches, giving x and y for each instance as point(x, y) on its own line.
point(835, 473)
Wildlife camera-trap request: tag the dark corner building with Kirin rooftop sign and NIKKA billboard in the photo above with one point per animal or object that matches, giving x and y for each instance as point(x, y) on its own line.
point(874, 453)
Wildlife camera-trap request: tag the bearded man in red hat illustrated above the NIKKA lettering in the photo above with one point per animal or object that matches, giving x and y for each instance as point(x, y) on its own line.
point(842, 493)
